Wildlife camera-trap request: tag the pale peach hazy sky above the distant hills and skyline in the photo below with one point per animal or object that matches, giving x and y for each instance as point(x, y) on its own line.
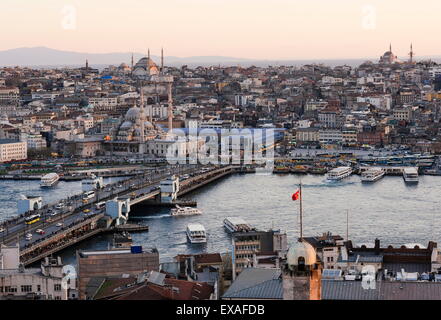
point(271, 29)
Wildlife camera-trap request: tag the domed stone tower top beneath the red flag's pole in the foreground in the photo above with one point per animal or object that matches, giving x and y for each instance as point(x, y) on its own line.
point(301, 274)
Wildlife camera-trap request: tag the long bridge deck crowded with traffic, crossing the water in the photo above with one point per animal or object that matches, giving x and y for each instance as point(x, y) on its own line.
point(79, 220)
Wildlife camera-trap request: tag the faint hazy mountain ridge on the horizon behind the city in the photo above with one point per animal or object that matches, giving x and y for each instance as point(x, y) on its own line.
point(43, 56)
